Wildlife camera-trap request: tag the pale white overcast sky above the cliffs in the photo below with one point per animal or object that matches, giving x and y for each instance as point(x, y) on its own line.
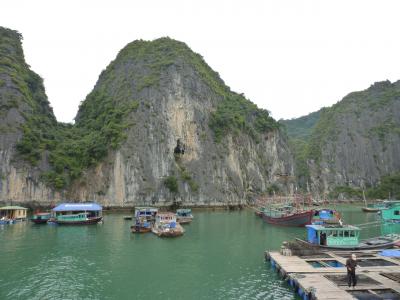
point(290, 57)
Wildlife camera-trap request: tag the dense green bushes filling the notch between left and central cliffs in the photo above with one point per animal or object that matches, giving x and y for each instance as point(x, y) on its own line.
point(73, 148)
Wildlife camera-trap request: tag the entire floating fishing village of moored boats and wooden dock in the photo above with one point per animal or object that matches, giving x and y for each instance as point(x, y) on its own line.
point(313, 265)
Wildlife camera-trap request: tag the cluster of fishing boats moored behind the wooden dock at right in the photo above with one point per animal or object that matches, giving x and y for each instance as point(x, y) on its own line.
point(326, 229)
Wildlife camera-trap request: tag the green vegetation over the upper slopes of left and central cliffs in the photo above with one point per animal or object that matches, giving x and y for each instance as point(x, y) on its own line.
point(64, 151)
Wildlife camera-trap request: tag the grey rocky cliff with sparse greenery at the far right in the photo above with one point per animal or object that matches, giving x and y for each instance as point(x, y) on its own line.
point(355, 142)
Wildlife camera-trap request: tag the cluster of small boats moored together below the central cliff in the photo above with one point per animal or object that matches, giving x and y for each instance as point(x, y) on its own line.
point(163, 224)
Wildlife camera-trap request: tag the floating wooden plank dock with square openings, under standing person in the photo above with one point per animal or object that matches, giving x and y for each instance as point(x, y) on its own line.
point(324, 276)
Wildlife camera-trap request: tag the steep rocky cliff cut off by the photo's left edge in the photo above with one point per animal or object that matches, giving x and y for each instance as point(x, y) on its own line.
point(21, 97)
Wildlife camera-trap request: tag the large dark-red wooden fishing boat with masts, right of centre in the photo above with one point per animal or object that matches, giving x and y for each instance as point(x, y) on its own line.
point(287, 216)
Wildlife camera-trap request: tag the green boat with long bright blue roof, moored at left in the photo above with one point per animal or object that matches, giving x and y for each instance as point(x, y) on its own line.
point(77, 214)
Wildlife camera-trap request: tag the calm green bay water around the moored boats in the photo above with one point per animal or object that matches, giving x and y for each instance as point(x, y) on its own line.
point(219, 257)
